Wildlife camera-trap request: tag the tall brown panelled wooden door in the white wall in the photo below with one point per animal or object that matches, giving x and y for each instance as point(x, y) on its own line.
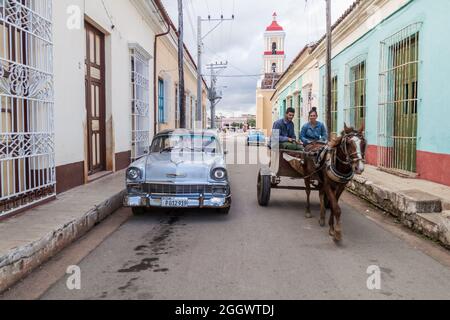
point(95, 99)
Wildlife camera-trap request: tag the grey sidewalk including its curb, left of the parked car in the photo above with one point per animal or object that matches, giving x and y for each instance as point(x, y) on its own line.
point(33, 237)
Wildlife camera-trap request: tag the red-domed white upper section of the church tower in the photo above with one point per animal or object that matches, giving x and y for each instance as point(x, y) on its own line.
point(274, 56)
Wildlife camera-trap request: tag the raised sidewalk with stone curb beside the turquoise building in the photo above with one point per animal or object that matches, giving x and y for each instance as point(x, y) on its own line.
point(421, 205)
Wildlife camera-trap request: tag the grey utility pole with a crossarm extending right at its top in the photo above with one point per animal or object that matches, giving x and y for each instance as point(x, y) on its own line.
point(200, 38)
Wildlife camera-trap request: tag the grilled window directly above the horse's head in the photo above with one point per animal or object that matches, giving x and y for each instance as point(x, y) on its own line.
point(355, 92)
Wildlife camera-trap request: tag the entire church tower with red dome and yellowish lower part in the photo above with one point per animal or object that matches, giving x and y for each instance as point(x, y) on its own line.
point(273, 66)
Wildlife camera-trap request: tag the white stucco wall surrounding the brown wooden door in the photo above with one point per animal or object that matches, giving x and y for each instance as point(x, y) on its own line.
point(69, 54)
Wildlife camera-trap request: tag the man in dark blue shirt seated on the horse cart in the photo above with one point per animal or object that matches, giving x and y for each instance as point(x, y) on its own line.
point(285, 130)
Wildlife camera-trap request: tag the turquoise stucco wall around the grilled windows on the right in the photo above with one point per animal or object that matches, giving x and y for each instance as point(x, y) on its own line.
point(434, 97)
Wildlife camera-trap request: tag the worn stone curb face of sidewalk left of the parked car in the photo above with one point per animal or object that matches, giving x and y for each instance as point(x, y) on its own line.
point(21, 261)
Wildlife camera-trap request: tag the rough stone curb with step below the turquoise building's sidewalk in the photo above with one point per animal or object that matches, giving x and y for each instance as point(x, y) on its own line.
point(417, 210)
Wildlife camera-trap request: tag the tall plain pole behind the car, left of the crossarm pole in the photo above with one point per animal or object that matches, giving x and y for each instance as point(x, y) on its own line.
point(181, 94)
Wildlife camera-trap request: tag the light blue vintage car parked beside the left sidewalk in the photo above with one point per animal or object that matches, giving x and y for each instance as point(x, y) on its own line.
point(183, 169)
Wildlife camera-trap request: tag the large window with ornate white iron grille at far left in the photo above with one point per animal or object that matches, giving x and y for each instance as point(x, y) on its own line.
point(27, 158)
